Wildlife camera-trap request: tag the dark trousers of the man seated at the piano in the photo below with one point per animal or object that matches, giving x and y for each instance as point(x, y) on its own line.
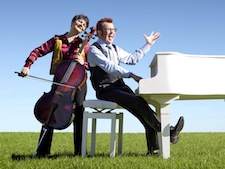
point(125, 97)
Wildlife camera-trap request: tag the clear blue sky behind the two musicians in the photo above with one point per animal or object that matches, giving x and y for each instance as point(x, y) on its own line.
point(186, 26)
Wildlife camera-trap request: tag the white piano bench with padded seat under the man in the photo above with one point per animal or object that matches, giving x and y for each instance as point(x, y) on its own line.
point(102, 110)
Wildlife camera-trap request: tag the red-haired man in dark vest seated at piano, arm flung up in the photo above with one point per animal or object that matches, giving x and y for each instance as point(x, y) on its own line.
point(107, 80)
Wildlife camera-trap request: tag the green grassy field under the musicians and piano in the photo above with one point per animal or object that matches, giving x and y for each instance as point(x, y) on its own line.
point(193, 151)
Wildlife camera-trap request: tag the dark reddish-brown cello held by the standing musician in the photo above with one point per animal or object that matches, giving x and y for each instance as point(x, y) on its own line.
point(55, 108)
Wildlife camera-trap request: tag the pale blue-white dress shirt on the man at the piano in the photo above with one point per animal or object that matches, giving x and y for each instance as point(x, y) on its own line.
point(96, 58)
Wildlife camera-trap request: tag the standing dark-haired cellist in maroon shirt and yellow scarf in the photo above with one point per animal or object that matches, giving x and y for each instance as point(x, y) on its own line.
point(64, 47)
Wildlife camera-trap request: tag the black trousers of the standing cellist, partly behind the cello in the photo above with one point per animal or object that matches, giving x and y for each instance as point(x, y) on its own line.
point(45, 145)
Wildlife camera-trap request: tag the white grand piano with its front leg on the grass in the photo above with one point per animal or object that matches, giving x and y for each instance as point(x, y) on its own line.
point(177, 76)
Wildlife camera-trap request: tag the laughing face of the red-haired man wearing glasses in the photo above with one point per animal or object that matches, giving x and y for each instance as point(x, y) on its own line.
point(107, 33)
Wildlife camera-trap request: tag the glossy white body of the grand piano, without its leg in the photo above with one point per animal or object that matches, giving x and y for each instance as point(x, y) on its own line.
point(183, 74)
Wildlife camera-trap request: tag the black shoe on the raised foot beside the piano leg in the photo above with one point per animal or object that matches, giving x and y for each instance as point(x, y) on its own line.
point(174, 131)
